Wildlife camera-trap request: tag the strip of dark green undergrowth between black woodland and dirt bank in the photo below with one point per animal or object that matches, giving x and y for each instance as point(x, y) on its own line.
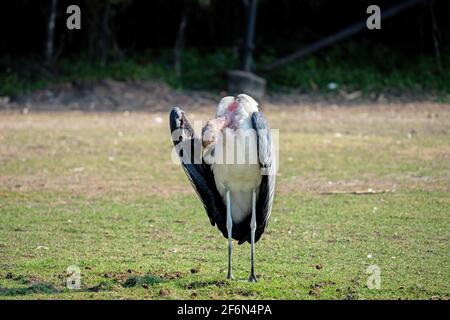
point(344, 65)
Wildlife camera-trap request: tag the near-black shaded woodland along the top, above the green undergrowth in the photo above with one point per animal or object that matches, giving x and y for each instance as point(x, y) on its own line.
point(114, 28)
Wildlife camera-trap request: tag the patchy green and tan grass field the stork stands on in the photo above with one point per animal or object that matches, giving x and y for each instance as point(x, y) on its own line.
point(98, 191)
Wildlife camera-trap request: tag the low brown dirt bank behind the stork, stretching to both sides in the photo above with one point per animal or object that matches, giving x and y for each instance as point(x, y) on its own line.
point(111, 95)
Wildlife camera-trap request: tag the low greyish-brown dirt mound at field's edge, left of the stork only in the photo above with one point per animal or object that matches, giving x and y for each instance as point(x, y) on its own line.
point(109, 95)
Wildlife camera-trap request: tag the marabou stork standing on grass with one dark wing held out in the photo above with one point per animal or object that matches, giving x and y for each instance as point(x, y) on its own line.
point(236, 196)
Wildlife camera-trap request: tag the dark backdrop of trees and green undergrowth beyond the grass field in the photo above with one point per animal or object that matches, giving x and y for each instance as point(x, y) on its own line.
point(191, 44)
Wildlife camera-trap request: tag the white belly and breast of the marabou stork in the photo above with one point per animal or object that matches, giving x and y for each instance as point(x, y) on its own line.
point(238, 174)
